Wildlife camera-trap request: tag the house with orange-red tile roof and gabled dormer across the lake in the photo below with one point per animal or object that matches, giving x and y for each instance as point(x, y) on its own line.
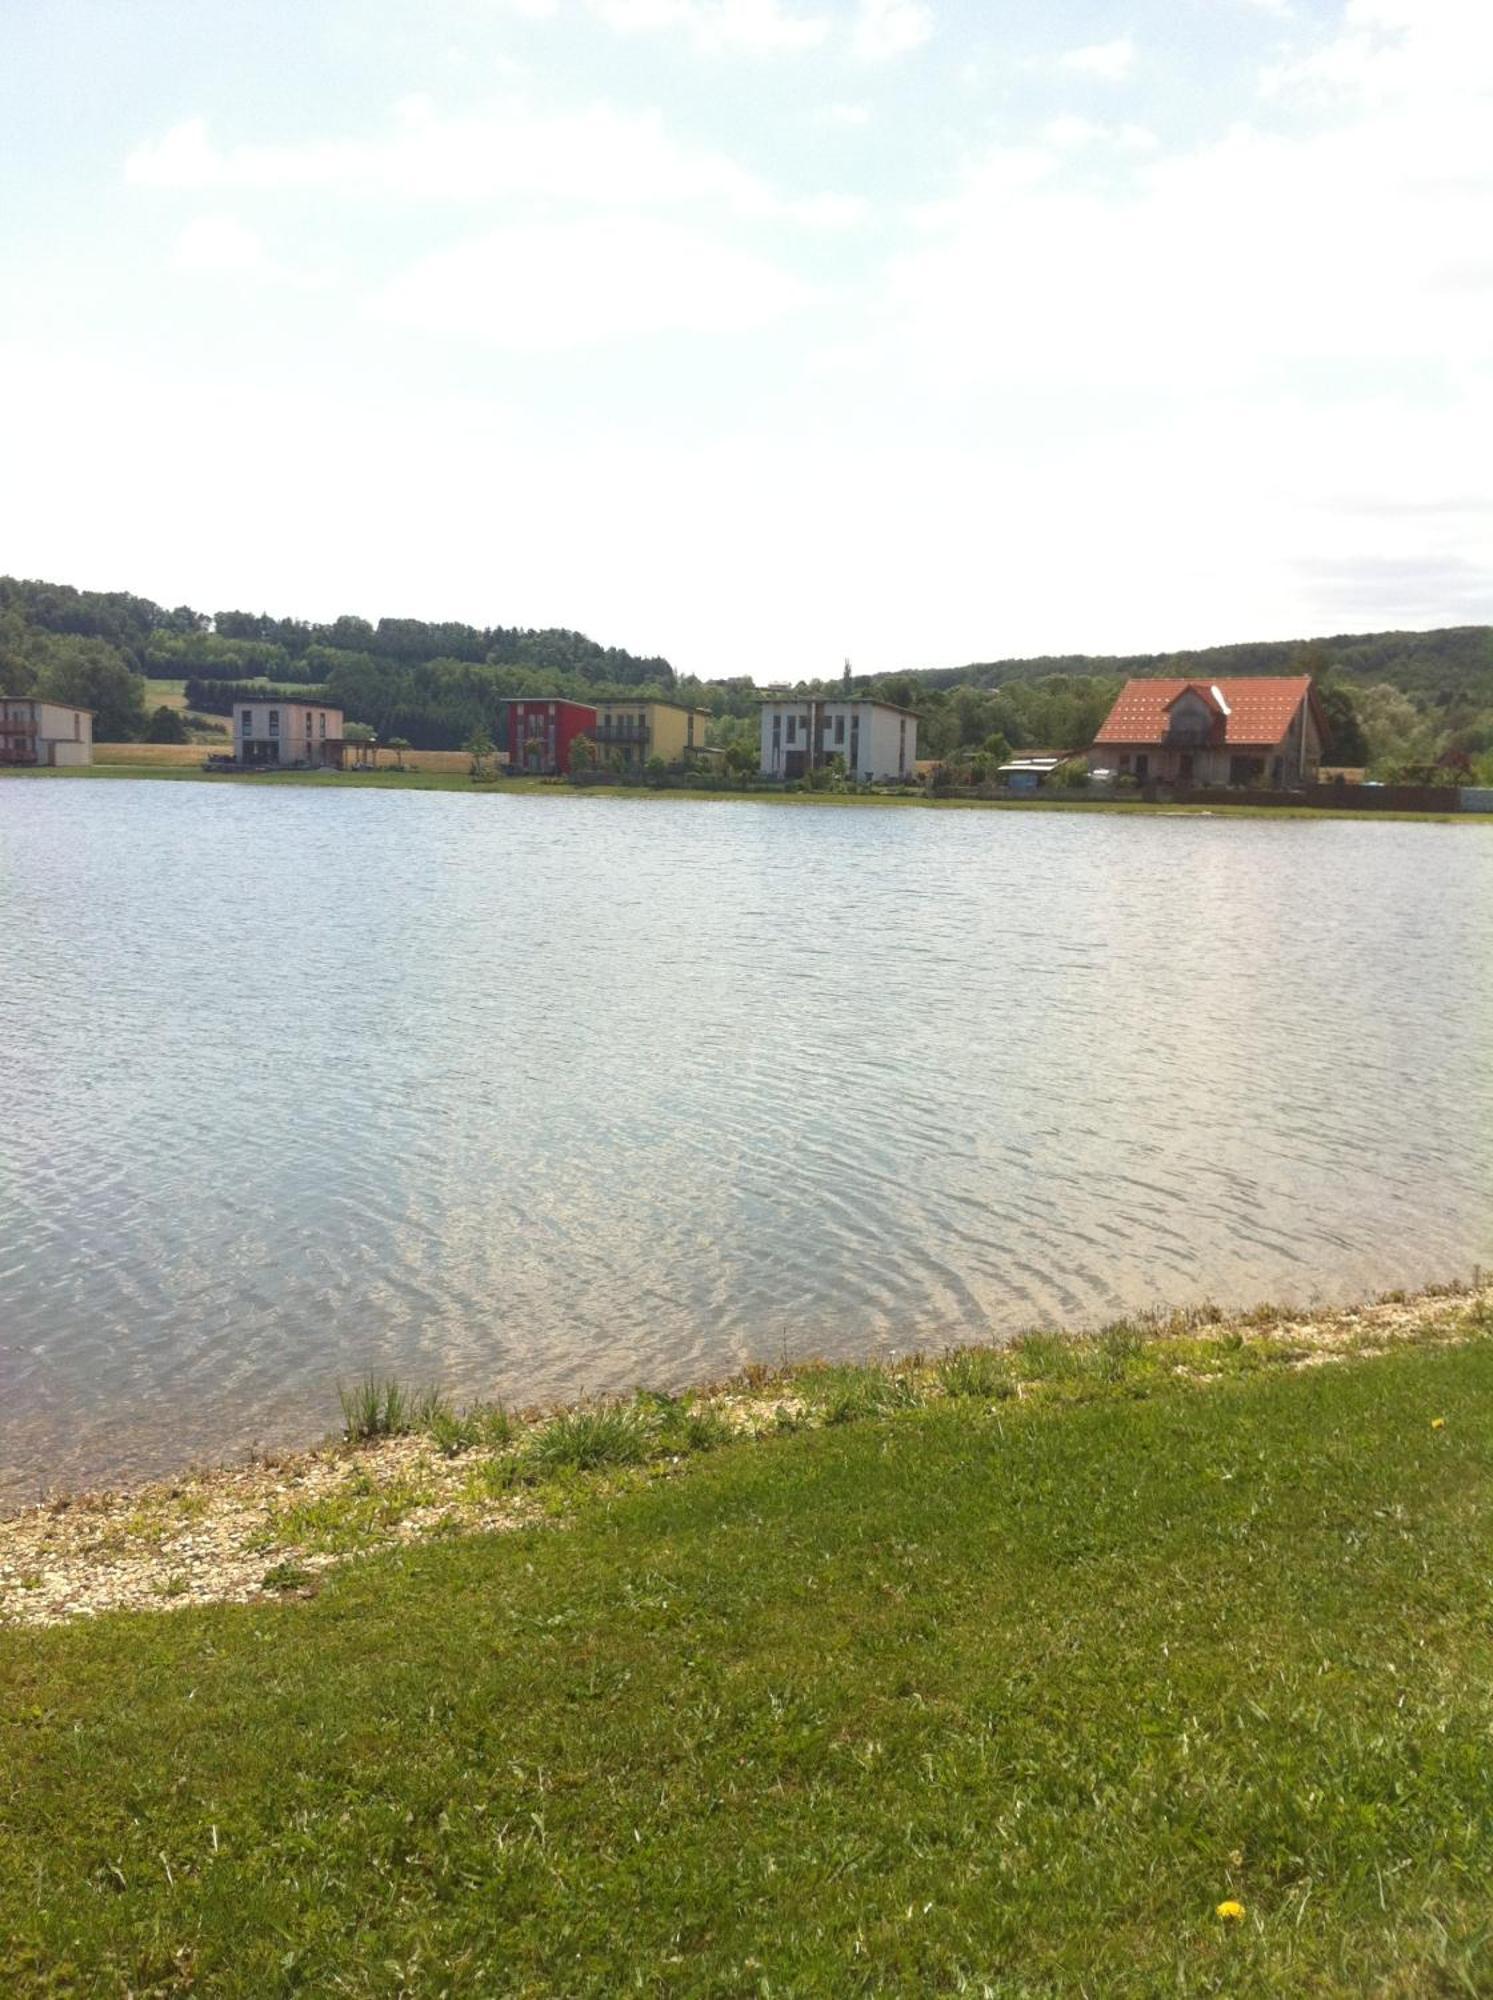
point(1258, 731)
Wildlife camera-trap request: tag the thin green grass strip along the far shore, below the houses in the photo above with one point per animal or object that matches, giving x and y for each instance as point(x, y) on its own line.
point(427, 781)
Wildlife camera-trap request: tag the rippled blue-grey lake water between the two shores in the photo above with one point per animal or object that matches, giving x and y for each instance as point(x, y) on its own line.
point(543, 1097)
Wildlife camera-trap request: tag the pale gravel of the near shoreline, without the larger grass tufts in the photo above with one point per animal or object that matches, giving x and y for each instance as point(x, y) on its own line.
point(277, 1525)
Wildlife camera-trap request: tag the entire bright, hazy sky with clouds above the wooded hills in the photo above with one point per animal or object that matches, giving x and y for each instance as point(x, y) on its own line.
point(758, 333)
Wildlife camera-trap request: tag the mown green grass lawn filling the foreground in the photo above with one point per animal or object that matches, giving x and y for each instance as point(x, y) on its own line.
point(968, 1697)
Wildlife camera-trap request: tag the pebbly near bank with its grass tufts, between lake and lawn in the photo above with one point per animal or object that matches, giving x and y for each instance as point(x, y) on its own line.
point(413, 1469)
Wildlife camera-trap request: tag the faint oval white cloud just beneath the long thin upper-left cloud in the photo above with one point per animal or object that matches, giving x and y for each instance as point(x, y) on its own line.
point(587, 283)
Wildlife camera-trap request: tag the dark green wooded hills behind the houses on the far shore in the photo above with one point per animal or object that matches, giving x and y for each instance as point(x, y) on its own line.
point(1396, 701)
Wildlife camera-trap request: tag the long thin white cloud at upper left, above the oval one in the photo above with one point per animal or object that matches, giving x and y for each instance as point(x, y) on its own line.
point(595, 157)
